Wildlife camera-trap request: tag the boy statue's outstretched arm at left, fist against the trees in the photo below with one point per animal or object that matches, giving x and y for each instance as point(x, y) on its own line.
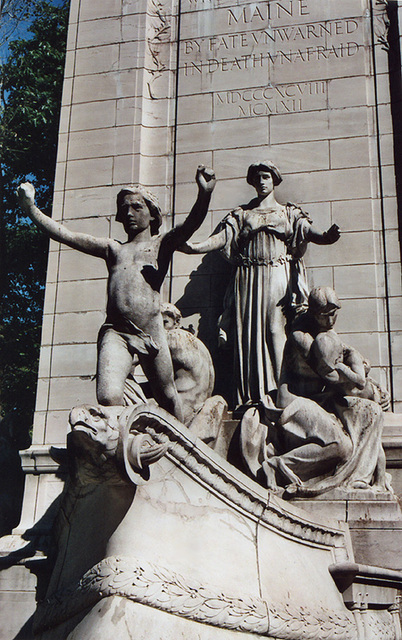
point(81, 241)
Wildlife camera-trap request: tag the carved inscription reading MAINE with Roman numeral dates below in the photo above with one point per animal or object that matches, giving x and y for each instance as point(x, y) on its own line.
point(245, 47)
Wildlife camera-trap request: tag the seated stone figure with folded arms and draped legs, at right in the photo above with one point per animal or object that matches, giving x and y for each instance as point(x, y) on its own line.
point(326, 429)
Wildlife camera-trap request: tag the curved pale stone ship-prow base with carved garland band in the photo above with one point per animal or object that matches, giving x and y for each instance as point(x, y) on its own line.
point(199, 541)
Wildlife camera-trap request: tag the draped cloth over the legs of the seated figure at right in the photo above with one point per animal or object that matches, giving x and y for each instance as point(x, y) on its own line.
point(305, 428)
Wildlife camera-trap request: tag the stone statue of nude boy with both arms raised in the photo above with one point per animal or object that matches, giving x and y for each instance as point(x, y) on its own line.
point(136, 269)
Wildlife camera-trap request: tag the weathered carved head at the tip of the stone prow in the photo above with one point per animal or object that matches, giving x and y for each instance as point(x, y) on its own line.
point(99, 424)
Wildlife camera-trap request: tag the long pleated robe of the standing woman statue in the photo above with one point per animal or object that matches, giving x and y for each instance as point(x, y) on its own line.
point(270, 278)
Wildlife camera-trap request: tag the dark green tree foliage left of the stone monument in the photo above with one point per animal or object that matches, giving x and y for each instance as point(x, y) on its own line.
point(31, 84)
